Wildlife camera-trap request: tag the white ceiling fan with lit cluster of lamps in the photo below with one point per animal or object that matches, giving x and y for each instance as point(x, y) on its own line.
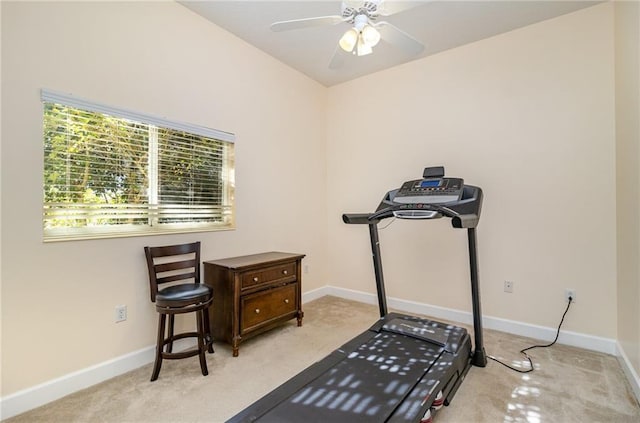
point(365, 31)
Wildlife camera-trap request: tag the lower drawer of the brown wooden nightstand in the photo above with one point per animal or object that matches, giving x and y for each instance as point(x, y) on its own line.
point(263, 307)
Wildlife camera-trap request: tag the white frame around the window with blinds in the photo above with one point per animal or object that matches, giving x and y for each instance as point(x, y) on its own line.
point(128, 230)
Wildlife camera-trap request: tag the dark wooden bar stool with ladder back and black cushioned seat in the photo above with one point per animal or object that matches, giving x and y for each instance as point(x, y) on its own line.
point(178, 266)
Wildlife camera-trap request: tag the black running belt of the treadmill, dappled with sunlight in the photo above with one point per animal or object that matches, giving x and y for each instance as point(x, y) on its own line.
point(368, 385)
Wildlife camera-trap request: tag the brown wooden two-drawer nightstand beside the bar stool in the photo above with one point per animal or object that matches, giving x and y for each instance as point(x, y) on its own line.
point(253, 293)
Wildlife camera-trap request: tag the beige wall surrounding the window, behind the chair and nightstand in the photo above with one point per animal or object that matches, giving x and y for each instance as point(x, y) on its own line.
point(58, 299)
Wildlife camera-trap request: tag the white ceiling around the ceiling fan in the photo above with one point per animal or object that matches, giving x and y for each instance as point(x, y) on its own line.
point(439, 25)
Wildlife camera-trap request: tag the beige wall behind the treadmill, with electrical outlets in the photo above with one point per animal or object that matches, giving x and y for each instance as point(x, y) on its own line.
point(529, 117)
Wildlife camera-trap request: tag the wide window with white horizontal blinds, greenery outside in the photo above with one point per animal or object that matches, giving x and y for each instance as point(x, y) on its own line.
point(111, 172)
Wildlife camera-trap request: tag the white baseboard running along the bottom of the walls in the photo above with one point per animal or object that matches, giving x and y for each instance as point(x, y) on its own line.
point(36, 396)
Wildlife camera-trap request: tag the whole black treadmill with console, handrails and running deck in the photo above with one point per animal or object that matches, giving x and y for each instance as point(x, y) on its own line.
point(403, 368)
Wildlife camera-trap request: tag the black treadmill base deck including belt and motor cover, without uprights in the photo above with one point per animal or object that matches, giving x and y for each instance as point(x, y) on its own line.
point(390, 373)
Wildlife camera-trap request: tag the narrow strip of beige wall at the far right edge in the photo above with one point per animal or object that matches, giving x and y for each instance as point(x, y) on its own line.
point(627, 15)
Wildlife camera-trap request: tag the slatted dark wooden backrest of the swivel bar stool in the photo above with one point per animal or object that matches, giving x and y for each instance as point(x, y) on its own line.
point(173, 263)
